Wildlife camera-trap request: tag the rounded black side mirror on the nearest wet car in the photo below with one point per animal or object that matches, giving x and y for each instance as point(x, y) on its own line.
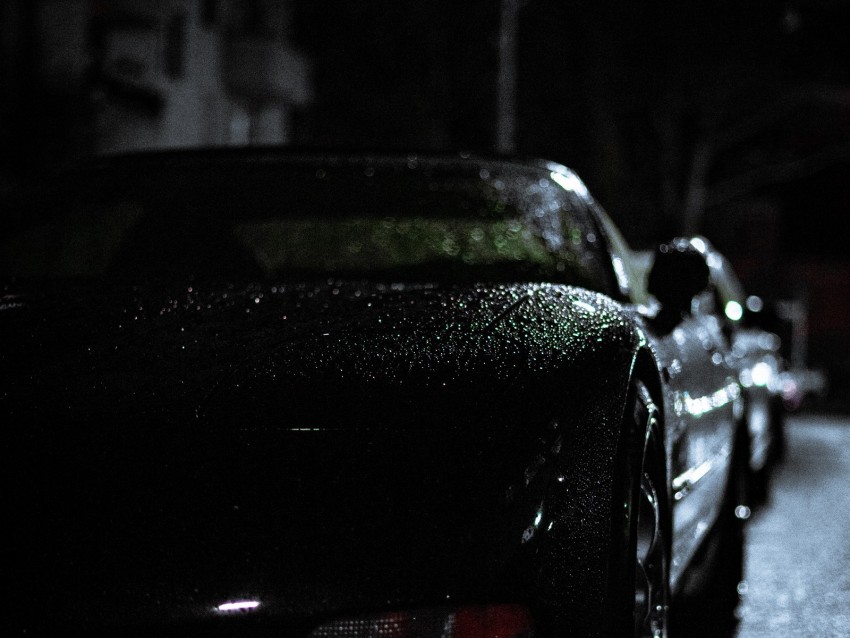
point(678, 274)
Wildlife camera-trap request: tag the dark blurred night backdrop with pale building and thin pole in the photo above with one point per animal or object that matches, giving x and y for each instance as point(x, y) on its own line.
point(727, 119)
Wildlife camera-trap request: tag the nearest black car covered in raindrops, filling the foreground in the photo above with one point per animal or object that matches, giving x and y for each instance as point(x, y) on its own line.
point(263, 393)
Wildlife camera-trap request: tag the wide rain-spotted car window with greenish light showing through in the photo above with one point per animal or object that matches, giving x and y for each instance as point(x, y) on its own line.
point(283, 217)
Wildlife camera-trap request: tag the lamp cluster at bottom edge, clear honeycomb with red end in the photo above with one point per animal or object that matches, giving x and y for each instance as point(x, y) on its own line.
point(494, 621)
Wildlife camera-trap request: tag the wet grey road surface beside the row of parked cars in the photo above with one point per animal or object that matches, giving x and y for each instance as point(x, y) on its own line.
point(798, 546)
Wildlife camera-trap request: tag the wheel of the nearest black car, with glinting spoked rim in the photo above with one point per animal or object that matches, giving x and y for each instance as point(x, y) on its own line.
point(645, 598)
